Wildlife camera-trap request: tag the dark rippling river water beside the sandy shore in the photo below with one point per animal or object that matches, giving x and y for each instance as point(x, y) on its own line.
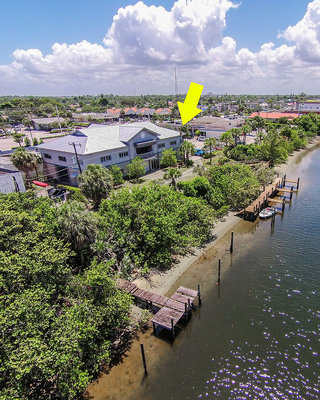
point(257, 335)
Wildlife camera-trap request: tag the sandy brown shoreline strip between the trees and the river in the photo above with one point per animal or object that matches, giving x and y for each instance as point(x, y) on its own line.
point(125, 375)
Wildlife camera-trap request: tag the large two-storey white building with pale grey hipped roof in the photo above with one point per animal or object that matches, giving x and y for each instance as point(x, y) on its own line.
point(106, 145)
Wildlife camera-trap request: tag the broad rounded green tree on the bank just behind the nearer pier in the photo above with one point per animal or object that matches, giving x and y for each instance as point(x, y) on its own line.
point(145, 227)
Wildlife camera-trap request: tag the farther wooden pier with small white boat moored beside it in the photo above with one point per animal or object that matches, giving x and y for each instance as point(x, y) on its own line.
point(270, 195)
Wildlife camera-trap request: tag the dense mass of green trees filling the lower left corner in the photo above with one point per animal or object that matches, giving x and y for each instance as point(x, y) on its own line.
point(57, 327)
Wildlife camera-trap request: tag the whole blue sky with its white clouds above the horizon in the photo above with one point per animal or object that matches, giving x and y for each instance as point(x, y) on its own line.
point(77, 47)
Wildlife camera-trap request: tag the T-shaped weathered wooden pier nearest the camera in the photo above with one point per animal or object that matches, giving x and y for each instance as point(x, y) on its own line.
point(170, 310)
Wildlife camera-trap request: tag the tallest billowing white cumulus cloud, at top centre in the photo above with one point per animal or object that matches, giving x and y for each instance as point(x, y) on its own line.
point(183, 35)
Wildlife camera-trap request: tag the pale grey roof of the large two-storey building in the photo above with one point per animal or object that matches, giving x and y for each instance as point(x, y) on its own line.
point(99, 138)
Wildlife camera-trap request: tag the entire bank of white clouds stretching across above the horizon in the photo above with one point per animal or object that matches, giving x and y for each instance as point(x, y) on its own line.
point(144, 44)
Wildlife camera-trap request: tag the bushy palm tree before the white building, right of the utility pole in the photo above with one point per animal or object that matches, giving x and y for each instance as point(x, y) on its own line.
point(96, 183)
